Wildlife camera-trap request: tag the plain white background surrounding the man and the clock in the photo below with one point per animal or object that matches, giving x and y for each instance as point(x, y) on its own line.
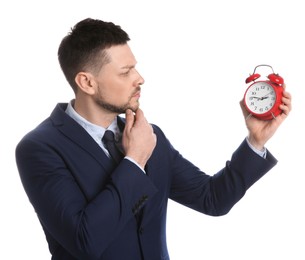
point(194, 56)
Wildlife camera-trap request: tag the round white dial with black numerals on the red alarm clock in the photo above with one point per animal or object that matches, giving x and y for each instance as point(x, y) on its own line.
point(260, 97)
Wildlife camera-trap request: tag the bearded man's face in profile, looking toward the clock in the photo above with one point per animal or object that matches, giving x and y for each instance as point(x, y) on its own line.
point(119, 82)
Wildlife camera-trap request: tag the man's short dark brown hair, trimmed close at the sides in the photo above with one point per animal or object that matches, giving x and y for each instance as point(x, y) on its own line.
point(84, 47)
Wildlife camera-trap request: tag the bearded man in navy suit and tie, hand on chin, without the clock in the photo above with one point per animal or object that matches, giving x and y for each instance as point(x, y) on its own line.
point(91, 207)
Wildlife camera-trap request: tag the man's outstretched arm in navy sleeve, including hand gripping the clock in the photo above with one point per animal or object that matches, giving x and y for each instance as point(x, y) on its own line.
point(216, 195)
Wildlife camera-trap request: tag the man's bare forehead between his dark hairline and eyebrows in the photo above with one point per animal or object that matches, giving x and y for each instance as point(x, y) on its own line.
point(121, 55)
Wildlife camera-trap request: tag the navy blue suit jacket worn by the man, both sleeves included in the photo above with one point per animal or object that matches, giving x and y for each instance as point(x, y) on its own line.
point(90, 209)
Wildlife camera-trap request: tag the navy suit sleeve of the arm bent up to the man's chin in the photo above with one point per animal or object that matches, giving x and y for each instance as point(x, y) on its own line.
point(84, 228)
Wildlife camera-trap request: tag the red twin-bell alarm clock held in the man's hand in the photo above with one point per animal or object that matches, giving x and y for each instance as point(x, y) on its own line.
point(262, 98)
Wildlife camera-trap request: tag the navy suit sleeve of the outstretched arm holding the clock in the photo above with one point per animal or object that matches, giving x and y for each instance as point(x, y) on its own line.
point(216, 194)
